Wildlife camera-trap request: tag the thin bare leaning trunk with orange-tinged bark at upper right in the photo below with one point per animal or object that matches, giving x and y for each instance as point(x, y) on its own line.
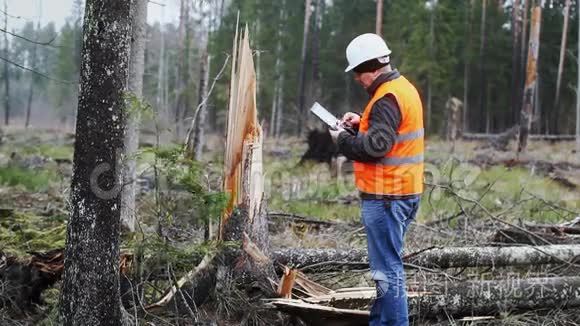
point(531, 78)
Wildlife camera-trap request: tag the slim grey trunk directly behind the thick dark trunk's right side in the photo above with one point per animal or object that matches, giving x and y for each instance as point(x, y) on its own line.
point(136, 70)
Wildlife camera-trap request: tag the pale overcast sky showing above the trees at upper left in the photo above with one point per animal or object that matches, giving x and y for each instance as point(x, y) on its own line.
point(58, 10)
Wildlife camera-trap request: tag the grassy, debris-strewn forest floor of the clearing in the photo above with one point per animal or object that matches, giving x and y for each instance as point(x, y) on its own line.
point(469, 189)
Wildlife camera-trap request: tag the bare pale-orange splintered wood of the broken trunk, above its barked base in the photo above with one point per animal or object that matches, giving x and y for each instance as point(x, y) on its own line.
point(243, 181)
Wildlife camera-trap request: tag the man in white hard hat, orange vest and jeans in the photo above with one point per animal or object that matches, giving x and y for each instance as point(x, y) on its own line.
point(388, 162)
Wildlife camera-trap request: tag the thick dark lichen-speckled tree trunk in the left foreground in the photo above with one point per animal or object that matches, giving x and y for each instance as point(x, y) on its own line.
point(90, 289)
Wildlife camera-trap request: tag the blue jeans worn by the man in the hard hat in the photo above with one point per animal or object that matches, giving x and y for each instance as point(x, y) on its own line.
point(386, 222)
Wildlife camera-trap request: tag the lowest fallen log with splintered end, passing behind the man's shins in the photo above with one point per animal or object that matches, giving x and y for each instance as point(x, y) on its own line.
point(457, 299)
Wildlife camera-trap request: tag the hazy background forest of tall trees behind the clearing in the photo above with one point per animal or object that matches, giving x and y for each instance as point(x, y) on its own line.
point(472, 50)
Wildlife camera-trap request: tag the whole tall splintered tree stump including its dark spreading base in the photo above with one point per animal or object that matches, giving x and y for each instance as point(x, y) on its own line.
point(243, 220)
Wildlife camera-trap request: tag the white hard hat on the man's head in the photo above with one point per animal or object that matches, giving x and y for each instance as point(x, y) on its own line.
point(365, 47)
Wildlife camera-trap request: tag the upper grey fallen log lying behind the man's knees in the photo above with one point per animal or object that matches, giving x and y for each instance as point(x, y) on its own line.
point(450, 257)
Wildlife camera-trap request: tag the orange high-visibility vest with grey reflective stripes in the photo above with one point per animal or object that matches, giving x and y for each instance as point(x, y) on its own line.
point(400, 172)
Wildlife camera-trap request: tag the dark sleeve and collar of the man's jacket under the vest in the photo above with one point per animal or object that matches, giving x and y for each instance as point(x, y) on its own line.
point(384, 121)
